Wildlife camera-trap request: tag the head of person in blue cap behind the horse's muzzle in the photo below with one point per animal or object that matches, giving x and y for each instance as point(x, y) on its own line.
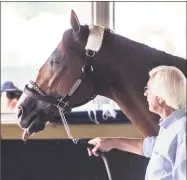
point(12, 94)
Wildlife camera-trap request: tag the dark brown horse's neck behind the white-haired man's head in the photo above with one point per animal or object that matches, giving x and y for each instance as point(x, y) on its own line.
point(128, 64)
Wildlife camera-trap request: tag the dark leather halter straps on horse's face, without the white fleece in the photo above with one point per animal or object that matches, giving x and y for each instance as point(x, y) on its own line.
point(62, 101)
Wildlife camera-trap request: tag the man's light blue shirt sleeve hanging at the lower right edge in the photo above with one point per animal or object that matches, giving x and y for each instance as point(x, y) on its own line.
point(179, 170)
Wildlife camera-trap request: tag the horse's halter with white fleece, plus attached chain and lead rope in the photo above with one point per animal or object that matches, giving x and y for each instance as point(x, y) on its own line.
point(34, 91)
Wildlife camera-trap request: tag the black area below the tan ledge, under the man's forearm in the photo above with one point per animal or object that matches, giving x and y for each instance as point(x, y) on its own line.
point(62, 160)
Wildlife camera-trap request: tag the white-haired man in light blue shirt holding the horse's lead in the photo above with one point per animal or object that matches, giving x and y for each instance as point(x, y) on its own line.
point(166, 96)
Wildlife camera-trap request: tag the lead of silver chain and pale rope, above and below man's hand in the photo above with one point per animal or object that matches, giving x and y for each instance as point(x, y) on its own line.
point(75, 140)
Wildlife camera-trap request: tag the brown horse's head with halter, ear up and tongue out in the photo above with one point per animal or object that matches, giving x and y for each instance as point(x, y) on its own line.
point(64, 81)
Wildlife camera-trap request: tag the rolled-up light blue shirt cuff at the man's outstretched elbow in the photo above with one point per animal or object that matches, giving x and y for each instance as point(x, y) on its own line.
point(148, 146)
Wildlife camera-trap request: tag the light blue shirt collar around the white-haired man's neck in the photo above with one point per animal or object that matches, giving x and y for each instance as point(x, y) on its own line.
point(171, 118)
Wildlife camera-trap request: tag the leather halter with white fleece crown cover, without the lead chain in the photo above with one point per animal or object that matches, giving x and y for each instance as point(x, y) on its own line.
point(94, 42)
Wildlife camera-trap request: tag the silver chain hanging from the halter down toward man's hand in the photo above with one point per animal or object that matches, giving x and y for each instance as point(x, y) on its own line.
point(66, 125)
